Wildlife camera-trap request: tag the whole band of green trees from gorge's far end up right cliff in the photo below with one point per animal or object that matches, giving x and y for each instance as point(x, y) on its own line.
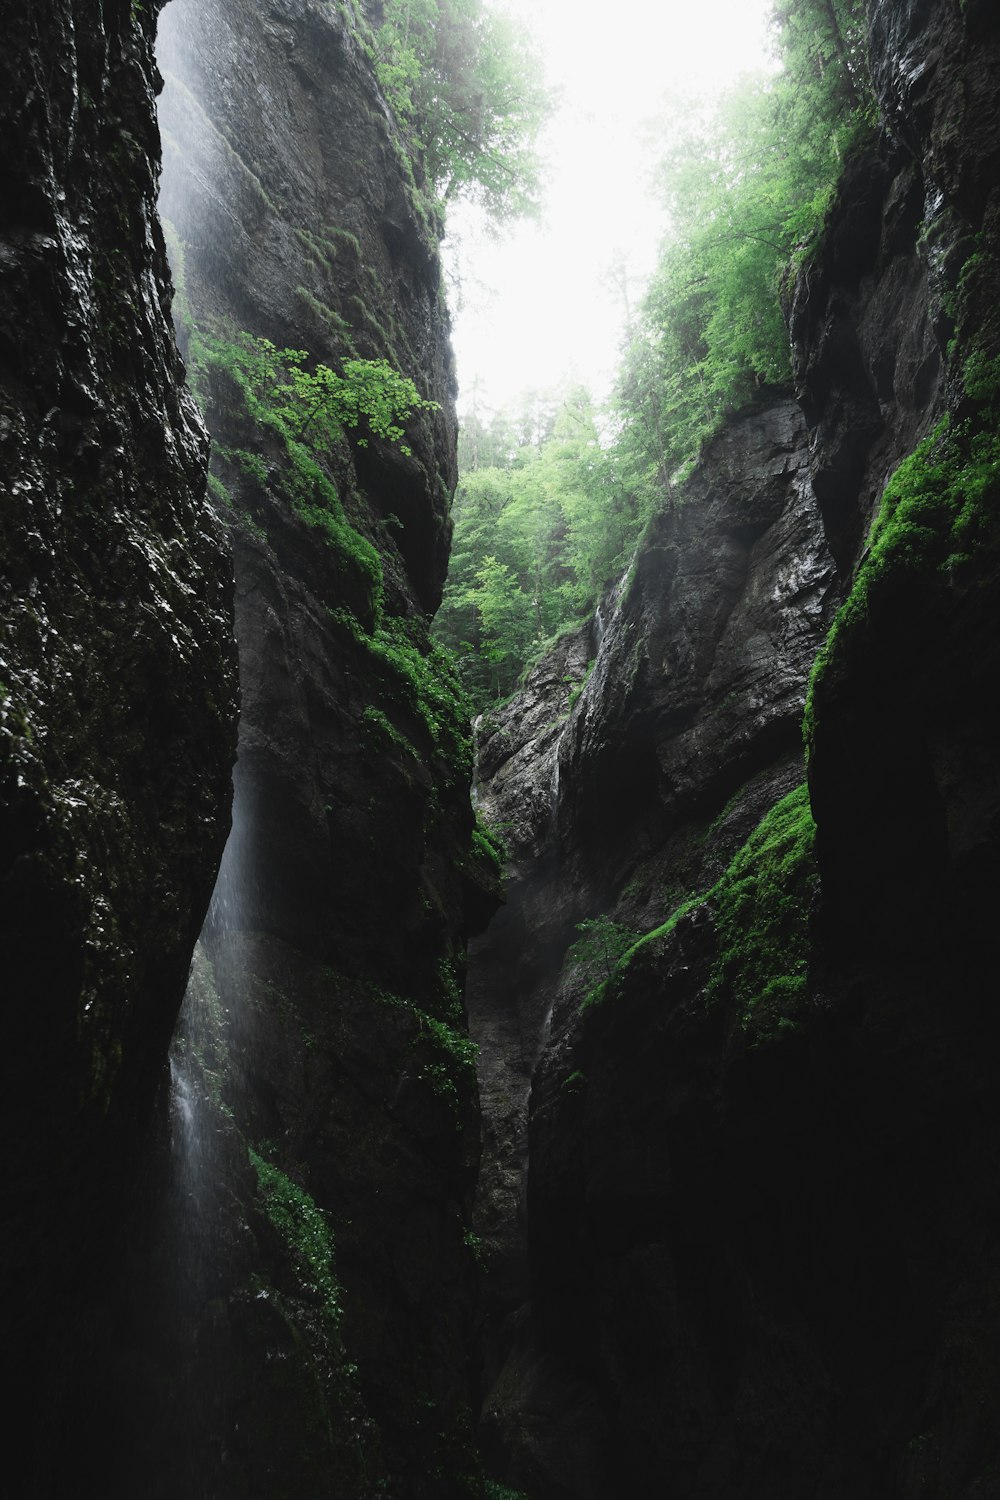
point(554, 494)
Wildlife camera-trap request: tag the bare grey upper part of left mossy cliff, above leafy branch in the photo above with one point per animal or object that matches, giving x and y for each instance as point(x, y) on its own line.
point(295, 200)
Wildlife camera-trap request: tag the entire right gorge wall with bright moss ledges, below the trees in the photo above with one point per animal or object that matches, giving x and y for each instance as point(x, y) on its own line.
point(762, 1147)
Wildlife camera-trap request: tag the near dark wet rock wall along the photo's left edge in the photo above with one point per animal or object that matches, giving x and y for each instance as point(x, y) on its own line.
point(118, 683)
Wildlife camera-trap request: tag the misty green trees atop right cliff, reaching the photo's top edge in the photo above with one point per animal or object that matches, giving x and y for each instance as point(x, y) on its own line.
point(747, 190)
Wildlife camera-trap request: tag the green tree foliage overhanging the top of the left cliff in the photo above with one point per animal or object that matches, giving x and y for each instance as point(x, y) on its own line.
point(466, 85)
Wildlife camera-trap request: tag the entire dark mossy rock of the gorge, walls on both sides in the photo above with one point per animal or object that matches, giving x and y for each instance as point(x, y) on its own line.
point(720, 1219)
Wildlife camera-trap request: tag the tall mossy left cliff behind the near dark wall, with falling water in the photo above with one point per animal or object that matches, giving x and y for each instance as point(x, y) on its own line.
point(326, 1028)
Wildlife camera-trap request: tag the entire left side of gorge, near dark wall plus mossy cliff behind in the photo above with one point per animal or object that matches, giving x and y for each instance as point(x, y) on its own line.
point(251, 1271)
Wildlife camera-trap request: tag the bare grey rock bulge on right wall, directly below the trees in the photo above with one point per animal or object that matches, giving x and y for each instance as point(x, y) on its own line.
point(701, 676)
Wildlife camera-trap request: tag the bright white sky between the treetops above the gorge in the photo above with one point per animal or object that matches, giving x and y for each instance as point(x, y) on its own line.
point(537, 308)
